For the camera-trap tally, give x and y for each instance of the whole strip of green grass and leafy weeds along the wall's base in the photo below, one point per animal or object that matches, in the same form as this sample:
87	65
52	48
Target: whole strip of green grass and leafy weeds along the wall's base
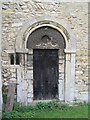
48	110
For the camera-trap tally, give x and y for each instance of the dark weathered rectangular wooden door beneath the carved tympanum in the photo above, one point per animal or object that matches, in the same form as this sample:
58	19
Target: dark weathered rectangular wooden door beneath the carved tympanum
45	74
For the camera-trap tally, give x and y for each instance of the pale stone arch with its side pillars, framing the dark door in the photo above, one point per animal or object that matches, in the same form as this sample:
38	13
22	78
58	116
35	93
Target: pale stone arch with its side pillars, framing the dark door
70	51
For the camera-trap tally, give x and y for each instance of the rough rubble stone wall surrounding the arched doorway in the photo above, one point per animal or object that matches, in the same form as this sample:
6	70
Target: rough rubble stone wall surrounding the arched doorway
75	15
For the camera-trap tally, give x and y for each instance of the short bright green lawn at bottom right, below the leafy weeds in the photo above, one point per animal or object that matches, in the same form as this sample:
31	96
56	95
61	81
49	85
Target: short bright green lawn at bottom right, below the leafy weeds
76	112
